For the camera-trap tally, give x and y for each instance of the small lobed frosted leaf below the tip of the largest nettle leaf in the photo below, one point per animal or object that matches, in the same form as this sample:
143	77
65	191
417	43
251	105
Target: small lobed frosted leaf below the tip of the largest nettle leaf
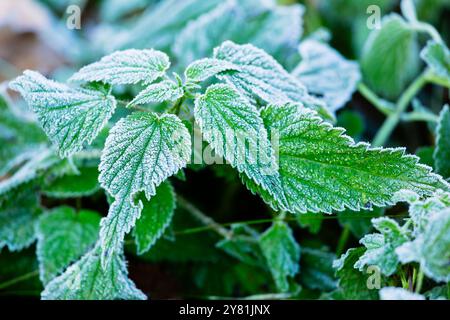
381	246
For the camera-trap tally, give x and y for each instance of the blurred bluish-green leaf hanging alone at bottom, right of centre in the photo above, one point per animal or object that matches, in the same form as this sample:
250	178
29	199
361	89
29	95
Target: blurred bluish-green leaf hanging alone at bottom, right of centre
282	253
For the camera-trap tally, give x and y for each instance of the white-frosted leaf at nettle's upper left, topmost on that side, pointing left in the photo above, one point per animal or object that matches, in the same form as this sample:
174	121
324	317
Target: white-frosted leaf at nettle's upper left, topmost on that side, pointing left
126	67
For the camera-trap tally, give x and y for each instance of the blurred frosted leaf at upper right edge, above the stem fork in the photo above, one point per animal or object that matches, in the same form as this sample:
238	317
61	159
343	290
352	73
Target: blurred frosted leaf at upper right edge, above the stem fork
437	57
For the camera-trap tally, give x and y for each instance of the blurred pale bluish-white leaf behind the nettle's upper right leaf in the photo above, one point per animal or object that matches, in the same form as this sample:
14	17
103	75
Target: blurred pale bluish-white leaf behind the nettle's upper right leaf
326	74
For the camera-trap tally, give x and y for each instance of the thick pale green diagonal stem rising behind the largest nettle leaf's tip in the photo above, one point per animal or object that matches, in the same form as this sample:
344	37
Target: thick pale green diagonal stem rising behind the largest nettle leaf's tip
392	120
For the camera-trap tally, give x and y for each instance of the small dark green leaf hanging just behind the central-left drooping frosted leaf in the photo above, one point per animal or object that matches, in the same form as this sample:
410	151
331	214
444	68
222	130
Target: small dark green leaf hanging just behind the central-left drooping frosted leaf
155	217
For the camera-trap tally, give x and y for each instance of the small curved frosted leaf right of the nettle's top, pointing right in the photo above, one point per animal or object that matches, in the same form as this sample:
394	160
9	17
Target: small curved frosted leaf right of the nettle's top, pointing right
203	69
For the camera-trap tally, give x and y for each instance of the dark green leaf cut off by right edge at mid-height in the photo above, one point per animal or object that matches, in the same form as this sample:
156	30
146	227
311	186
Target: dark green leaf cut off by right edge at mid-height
442	152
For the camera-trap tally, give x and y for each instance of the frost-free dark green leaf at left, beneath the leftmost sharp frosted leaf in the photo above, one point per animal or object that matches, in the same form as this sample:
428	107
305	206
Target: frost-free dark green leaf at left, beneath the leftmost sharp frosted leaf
85	183
